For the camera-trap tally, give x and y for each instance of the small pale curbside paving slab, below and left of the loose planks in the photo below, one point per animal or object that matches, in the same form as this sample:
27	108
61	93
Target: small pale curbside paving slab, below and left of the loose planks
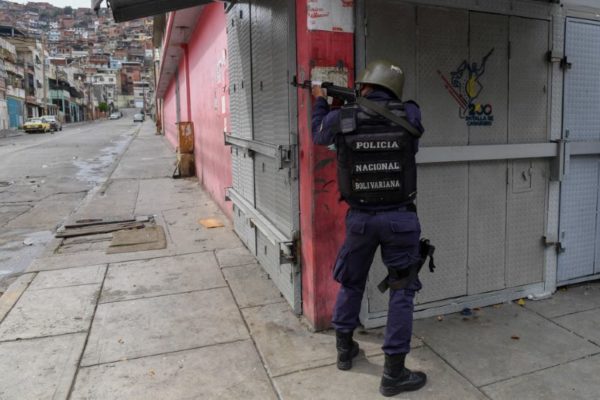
68	277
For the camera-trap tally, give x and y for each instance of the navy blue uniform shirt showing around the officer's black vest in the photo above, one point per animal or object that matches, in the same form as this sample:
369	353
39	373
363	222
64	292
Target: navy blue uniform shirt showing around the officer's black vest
326	125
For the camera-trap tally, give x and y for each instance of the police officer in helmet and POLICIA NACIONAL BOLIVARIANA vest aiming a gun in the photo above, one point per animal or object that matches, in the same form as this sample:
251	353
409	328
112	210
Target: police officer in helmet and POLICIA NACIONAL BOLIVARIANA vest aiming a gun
377	178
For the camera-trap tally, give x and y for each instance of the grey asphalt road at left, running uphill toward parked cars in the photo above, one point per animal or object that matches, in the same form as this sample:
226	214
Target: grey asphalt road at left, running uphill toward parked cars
44	178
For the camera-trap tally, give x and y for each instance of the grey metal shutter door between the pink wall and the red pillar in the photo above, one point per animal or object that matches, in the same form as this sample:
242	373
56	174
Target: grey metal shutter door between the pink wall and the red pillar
263	111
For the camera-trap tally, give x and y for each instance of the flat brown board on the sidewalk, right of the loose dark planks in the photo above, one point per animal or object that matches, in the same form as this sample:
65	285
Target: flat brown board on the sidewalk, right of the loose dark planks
133	240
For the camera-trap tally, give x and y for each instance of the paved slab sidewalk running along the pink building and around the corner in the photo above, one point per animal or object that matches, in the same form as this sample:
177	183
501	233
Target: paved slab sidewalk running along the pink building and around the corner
200	320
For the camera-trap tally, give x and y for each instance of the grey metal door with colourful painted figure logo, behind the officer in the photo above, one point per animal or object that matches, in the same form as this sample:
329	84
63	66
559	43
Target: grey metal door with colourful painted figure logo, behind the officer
485	217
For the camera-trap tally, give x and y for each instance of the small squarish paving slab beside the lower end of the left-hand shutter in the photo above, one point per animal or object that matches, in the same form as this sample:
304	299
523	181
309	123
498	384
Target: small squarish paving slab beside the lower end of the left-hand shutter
251	286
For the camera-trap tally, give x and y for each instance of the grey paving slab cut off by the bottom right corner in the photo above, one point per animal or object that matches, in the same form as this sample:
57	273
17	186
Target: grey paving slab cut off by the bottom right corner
576	380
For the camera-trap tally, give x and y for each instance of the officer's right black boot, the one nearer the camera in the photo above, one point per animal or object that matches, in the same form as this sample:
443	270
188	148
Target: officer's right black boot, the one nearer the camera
397	378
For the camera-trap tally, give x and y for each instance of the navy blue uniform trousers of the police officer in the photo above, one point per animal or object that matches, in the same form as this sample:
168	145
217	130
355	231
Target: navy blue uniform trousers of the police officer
397	232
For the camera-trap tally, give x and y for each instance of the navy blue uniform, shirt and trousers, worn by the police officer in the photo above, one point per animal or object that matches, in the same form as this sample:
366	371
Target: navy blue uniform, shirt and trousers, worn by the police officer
395	228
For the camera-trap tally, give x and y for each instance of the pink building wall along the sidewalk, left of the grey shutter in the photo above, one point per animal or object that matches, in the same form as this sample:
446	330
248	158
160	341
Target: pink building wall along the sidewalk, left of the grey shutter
204	63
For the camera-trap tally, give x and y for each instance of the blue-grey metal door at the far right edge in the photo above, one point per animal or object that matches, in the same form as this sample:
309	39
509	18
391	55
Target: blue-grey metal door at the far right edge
579	192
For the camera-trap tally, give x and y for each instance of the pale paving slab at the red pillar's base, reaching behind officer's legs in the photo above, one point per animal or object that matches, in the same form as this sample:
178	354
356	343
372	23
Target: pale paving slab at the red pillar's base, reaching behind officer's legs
287	345
